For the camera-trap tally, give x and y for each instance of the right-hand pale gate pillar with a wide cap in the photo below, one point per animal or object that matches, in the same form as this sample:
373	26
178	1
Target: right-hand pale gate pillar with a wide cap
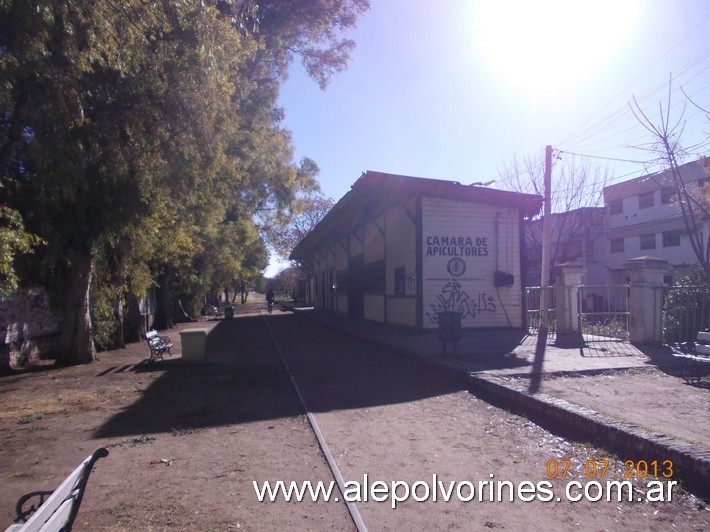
646	298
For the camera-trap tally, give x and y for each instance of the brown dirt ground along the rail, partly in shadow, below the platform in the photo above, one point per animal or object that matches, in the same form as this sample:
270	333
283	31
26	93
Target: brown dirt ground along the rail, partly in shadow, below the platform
187	441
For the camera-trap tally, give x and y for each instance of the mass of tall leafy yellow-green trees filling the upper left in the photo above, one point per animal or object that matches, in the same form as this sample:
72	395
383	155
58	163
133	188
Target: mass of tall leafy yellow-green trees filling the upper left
139	140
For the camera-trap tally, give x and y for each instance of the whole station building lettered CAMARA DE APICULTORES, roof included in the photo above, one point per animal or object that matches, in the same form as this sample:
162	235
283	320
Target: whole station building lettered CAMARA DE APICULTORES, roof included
400	250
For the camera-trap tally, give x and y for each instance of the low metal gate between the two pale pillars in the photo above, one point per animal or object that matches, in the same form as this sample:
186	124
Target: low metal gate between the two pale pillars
604	310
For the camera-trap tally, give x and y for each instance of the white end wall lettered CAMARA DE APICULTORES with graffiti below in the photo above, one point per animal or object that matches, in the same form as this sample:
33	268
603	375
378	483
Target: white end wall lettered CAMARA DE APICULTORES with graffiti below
471	263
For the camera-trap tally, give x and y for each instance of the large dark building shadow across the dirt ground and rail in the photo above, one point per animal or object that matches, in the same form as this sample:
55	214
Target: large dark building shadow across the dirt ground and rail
243	378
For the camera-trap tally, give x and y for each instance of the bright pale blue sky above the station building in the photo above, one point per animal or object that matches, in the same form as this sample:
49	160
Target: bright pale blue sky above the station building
459	89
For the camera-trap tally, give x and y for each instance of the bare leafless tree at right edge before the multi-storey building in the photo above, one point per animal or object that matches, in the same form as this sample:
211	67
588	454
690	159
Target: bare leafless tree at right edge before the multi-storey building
692	203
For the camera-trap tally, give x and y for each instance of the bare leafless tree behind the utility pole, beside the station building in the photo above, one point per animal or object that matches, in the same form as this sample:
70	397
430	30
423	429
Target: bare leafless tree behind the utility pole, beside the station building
576	199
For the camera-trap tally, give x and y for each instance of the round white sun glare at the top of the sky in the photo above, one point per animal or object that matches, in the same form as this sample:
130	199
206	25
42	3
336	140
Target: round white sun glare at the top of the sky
551	46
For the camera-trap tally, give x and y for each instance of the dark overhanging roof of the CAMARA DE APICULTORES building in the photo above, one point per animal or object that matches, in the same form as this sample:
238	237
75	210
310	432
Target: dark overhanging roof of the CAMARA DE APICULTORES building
374	193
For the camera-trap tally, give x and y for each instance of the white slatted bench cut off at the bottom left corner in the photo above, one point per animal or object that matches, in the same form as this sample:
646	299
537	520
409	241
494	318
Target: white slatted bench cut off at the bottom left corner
55	510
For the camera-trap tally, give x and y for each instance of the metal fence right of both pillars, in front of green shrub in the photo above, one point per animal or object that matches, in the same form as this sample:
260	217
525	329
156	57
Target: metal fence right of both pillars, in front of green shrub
686	310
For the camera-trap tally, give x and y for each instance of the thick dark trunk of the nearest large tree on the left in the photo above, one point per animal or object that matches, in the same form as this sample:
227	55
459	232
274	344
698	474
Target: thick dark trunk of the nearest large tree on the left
77	344
